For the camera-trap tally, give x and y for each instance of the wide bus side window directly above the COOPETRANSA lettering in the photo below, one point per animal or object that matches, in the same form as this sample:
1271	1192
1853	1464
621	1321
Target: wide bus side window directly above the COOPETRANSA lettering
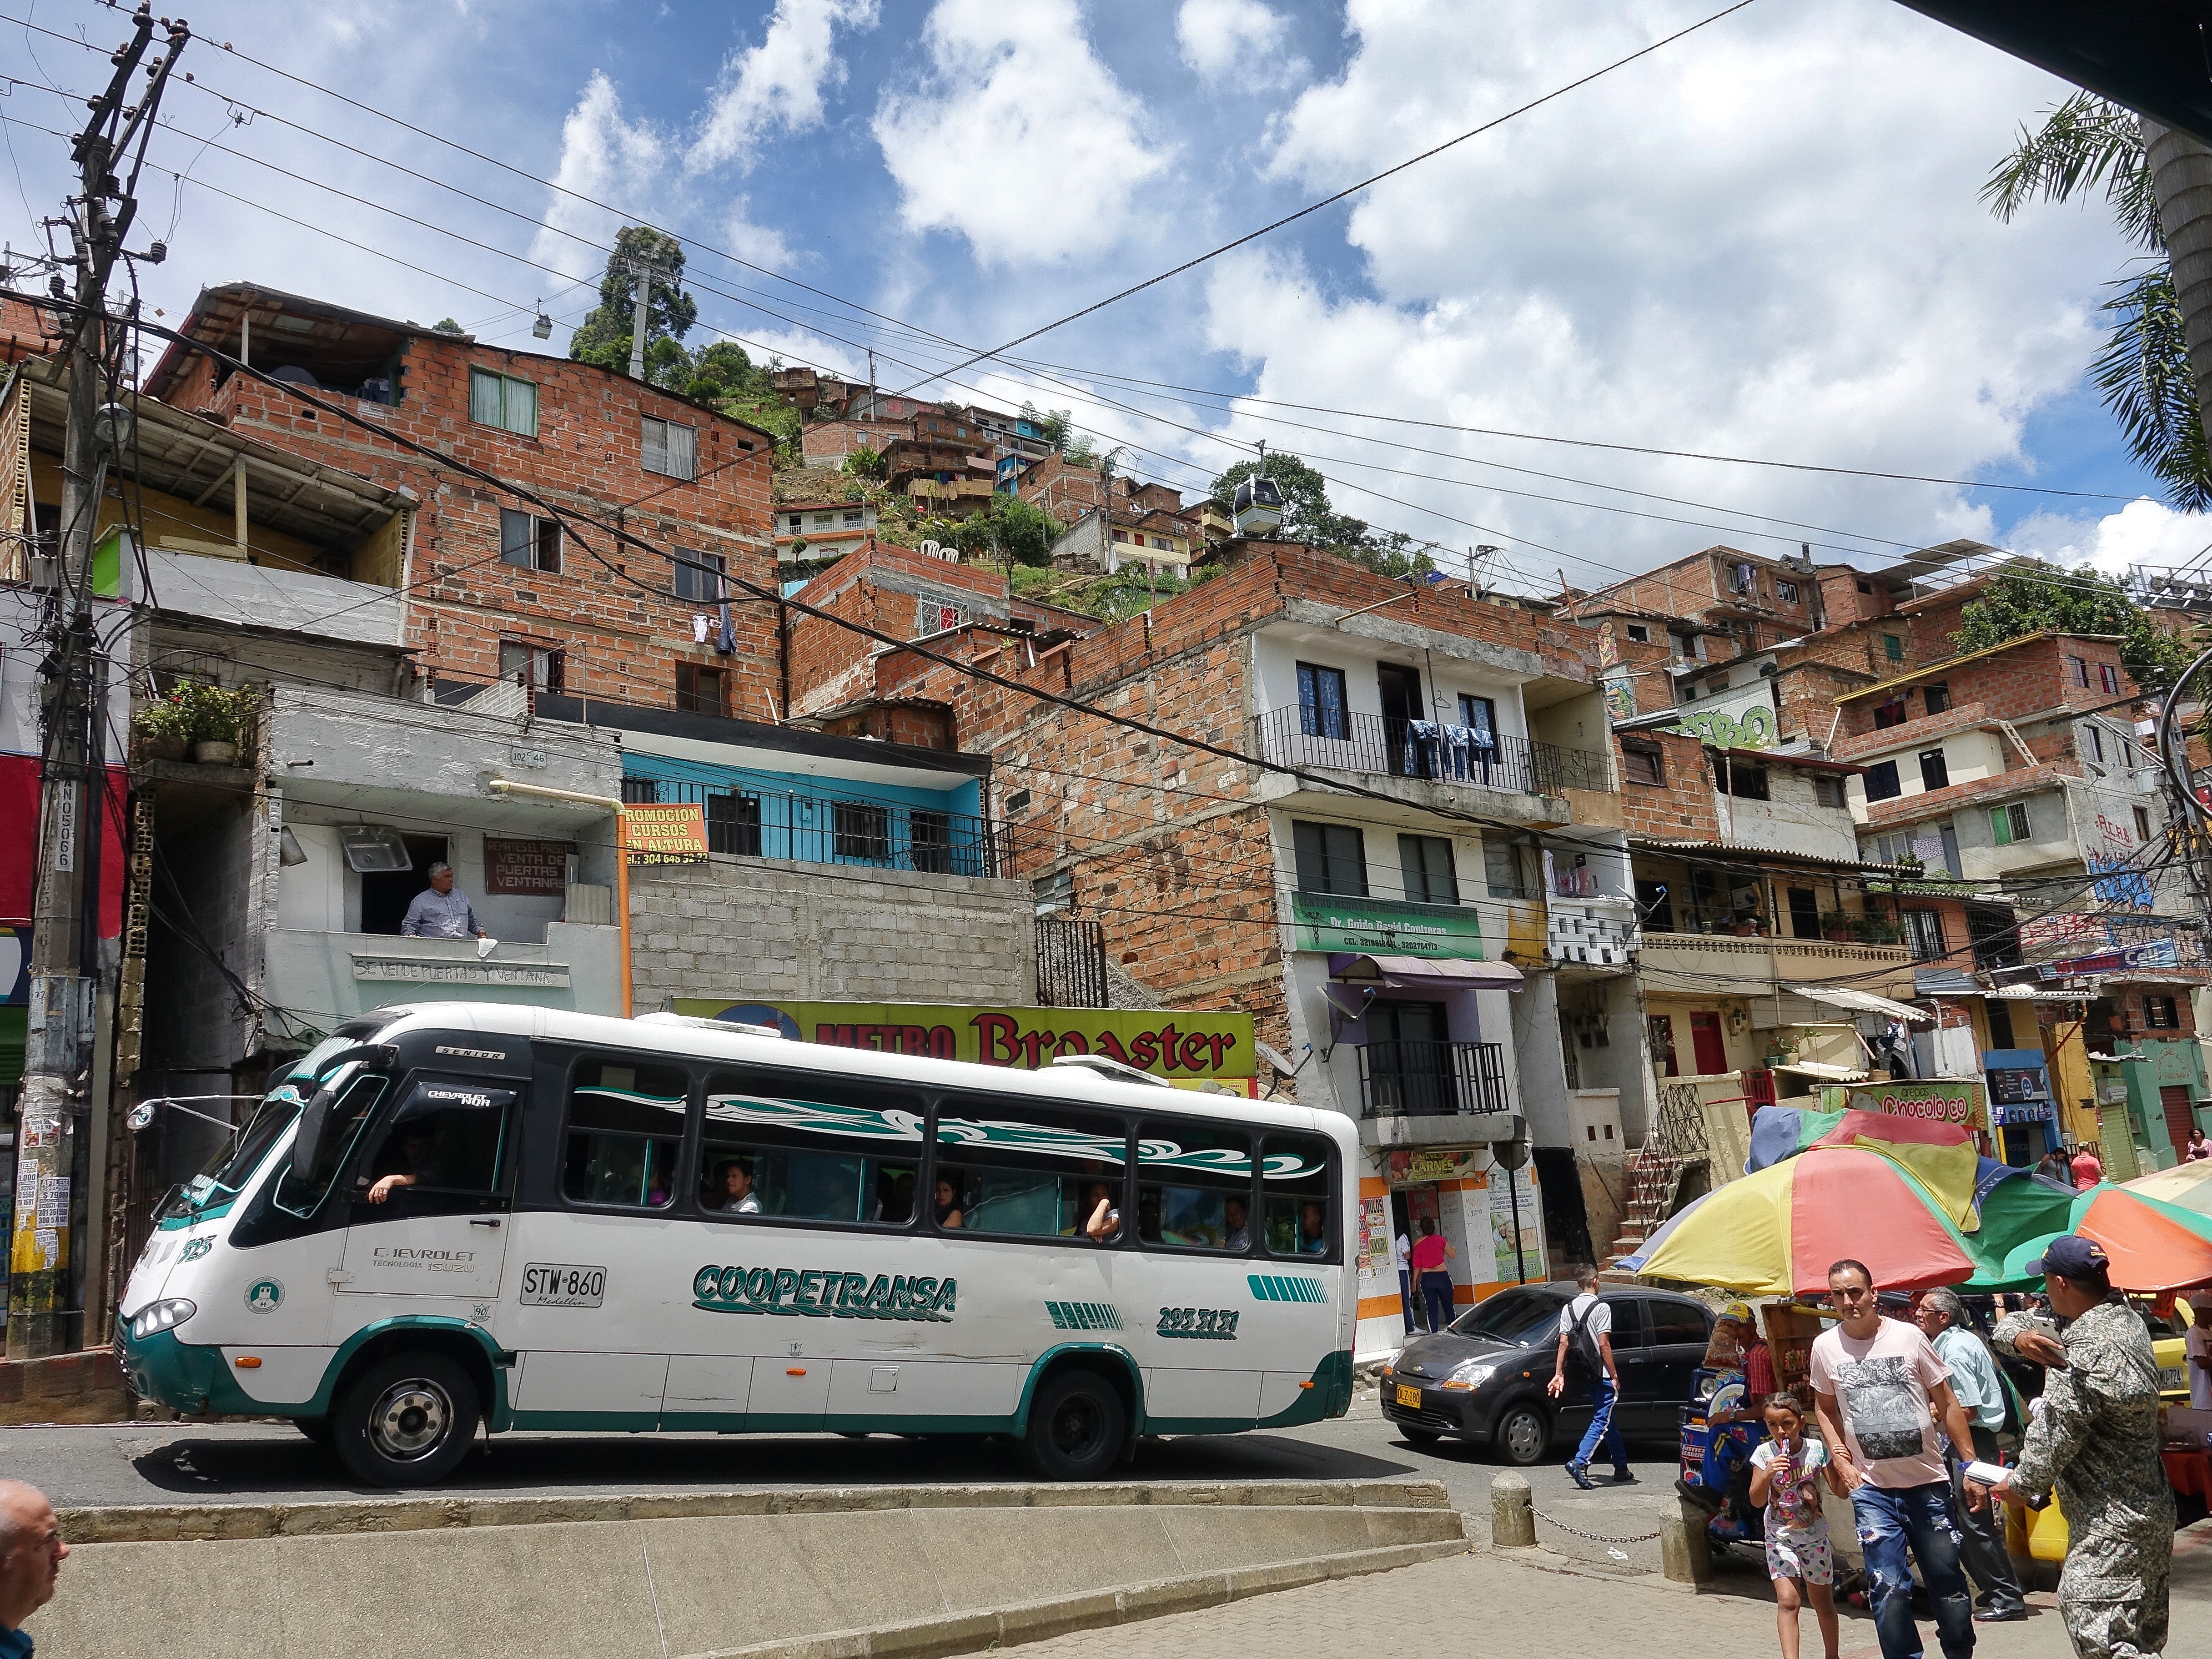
811	1149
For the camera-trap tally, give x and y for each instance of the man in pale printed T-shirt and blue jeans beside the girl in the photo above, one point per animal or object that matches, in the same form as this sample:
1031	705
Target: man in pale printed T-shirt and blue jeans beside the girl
1875	1384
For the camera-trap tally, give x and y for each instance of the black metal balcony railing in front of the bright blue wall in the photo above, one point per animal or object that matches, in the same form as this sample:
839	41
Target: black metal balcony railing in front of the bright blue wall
831	831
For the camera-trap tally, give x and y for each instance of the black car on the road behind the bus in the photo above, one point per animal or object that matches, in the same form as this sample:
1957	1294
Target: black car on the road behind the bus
1483	1377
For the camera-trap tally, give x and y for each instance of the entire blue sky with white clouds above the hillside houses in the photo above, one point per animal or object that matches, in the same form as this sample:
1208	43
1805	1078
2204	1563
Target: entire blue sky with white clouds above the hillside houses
1762	240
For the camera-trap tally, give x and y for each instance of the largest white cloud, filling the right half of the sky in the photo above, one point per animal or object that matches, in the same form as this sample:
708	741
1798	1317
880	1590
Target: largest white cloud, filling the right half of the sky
1764	240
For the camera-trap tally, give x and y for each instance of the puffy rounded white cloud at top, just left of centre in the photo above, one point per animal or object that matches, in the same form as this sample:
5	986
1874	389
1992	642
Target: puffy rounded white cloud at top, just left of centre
1016	136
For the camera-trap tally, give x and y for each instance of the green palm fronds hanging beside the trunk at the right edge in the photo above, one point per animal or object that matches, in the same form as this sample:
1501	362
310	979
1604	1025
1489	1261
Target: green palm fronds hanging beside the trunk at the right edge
2145	366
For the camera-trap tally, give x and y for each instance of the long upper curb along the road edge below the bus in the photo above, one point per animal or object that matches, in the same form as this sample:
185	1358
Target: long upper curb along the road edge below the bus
189	1523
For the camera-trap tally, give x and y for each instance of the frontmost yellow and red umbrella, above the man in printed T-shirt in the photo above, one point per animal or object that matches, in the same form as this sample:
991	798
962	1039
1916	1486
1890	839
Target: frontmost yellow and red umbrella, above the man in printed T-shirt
1780	1231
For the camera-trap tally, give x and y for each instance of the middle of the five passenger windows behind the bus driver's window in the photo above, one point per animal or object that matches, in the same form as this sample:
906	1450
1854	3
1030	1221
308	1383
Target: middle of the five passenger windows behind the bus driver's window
1039	1176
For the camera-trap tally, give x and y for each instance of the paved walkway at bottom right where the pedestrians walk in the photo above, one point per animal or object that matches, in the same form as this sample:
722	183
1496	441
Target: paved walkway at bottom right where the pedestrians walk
1490	1603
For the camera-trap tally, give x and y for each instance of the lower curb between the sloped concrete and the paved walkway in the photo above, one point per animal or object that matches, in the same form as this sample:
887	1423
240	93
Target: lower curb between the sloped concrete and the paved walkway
1036	1620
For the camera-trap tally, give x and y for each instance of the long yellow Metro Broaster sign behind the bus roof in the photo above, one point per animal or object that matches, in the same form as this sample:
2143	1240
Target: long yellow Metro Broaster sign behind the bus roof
1167	1043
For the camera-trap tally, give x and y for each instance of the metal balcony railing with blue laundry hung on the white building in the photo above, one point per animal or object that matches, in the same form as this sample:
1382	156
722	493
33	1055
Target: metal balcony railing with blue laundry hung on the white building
1426	751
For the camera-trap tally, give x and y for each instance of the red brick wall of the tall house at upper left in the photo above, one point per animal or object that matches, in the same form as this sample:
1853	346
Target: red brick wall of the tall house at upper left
620	640
